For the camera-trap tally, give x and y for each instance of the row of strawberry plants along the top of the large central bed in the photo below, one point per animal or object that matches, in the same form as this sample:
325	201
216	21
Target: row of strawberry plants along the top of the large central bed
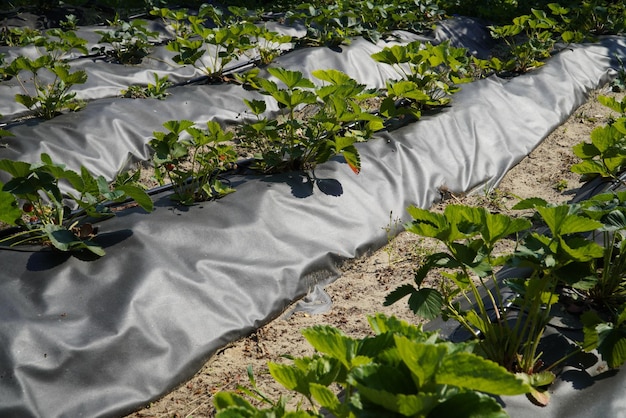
193	160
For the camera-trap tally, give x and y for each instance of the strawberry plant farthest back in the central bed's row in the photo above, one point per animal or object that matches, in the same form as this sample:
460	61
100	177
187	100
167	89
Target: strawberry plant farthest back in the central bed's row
429	75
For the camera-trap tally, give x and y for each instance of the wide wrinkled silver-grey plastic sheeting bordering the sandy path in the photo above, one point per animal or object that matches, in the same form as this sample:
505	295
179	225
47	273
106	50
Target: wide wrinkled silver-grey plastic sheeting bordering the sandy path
102	338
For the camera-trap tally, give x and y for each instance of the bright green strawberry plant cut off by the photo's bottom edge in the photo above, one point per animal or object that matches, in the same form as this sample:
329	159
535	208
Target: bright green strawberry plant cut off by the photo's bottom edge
401	371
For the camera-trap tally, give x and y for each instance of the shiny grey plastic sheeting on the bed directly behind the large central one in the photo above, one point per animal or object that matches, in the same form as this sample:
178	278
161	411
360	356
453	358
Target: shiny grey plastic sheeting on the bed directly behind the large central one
109	134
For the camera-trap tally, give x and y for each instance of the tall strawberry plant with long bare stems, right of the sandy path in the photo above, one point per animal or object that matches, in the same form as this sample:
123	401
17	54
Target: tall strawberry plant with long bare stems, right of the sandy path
507	336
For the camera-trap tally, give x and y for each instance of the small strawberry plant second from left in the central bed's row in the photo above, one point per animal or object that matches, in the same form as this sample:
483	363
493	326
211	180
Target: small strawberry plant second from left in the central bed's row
191	159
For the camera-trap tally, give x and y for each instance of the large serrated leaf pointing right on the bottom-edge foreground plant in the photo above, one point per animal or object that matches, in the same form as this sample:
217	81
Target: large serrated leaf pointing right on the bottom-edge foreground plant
467	370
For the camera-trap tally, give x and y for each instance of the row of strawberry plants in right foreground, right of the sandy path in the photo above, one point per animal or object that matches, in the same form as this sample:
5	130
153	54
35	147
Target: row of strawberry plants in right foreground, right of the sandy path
569	255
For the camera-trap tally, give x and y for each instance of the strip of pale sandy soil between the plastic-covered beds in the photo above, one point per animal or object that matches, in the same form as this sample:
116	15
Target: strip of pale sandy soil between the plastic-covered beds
366	281
